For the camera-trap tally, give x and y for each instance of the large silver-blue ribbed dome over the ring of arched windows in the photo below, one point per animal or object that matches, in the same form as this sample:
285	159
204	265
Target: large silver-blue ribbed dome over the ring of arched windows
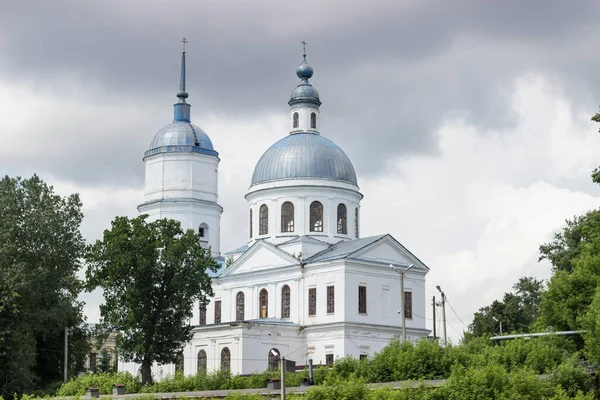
304	156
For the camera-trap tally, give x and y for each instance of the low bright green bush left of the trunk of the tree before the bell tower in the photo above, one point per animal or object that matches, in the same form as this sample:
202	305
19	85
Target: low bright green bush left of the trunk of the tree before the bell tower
103	381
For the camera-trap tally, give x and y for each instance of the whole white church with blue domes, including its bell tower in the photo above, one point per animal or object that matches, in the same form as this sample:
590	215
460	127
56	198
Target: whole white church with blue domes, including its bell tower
306	285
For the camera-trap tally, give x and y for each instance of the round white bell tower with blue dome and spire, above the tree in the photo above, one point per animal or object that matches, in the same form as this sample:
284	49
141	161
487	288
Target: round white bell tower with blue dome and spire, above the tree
181	174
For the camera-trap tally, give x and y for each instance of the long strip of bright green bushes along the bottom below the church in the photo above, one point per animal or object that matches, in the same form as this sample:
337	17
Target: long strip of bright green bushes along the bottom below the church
476	370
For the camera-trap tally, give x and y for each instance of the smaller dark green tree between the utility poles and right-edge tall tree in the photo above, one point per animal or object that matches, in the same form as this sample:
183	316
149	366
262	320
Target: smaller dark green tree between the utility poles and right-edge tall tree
517	311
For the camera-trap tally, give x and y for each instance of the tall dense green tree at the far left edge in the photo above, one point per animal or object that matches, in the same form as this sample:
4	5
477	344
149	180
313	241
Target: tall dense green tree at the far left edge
40	251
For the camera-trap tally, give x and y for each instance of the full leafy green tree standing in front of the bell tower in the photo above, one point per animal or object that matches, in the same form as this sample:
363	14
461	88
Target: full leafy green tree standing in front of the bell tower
151	274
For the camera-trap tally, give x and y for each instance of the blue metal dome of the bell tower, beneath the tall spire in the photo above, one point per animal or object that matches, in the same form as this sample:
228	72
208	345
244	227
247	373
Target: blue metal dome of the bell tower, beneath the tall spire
181	136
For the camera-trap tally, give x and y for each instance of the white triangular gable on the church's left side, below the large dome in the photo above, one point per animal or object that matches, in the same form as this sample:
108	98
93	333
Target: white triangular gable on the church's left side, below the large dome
260	257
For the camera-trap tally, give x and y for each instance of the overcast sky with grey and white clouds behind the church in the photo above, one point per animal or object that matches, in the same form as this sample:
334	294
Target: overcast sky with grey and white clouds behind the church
468	122
